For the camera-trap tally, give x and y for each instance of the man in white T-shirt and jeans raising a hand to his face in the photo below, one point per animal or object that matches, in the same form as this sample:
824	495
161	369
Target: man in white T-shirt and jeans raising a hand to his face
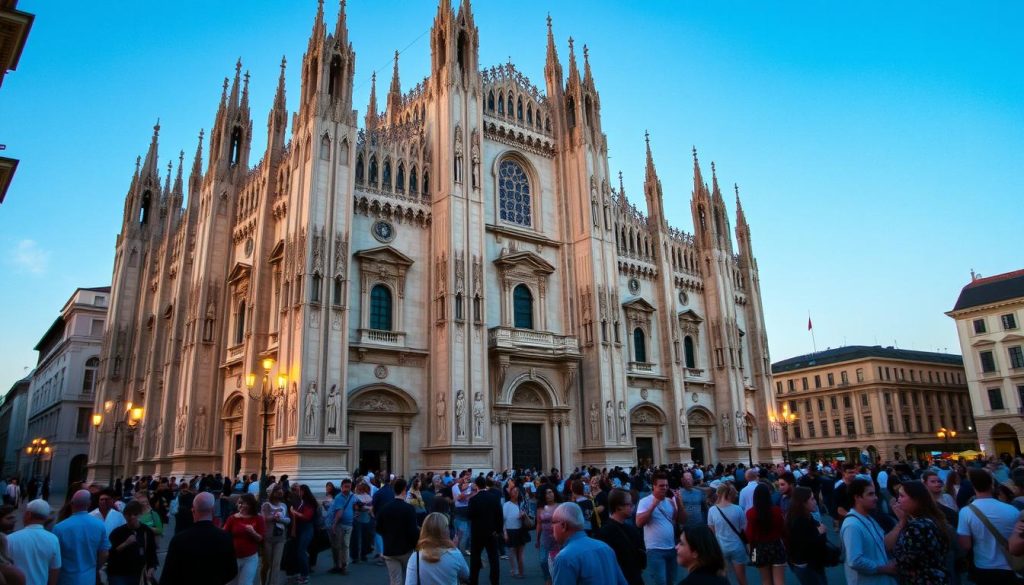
659	515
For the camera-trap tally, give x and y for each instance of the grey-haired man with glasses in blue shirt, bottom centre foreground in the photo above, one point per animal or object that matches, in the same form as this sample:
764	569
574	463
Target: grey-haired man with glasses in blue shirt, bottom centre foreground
583	561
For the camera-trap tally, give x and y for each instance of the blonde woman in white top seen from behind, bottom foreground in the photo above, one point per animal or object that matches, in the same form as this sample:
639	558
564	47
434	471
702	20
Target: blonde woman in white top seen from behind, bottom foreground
437	561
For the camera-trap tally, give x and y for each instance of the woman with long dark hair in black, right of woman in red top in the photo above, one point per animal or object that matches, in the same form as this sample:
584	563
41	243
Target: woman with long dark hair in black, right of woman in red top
806	542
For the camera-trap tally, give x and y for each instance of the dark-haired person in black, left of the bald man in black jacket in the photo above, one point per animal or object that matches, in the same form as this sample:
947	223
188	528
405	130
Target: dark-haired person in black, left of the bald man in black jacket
134	550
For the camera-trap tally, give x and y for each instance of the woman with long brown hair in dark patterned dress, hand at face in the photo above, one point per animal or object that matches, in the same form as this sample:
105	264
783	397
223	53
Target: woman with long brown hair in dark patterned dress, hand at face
922	541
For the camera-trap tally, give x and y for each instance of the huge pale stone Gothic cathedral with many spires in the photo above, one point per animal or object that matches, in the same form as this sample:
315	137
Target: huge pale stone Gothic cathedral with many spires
452	283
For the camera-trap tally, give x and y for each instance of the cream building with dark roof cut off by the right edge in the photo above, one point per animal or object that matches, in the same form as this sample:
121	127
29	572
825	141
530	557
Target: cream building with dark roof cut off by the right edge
989	315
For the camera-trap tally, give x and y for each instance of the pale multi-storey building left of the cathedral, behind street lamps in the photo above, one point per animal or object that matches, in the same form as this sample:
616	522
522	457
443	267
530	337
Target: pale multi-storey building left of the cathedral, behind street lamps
64	388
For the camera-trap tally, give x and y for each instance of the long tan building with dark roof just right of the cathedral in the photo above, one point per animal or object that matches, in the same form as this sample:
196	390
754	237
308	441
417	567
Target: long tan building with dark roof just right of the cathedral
890	403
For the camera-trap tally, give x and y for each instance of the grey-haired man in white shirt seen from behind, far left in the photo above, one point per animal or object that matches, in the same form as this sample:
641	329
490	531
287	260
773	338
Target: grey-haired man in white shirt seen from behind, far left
36	552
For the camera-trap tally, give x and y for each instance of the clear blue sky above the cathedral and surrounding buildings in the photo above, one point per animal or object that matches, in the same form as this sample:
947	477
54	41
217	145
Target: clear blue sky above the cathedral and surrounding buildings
879	146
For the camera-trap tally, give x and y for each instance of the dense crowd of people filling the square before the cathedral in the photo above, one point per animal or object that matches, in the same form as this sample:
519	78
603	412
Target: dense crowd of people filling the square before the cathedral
910	523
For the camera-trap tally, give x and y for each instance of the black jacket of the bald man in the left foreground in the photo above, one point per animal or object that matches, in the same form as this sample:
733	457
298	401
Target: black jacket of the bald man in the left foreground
203	555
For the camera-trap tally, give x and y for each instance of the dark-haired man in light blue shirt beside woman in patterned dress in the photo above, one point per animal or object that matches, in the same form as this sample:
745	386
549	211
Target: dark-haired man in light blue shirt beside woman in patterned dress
864	541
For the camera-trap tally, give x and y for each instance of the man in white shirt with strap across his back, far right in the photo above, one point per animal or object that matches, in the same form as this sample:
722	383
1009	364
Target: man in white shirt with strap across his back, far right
976	536
